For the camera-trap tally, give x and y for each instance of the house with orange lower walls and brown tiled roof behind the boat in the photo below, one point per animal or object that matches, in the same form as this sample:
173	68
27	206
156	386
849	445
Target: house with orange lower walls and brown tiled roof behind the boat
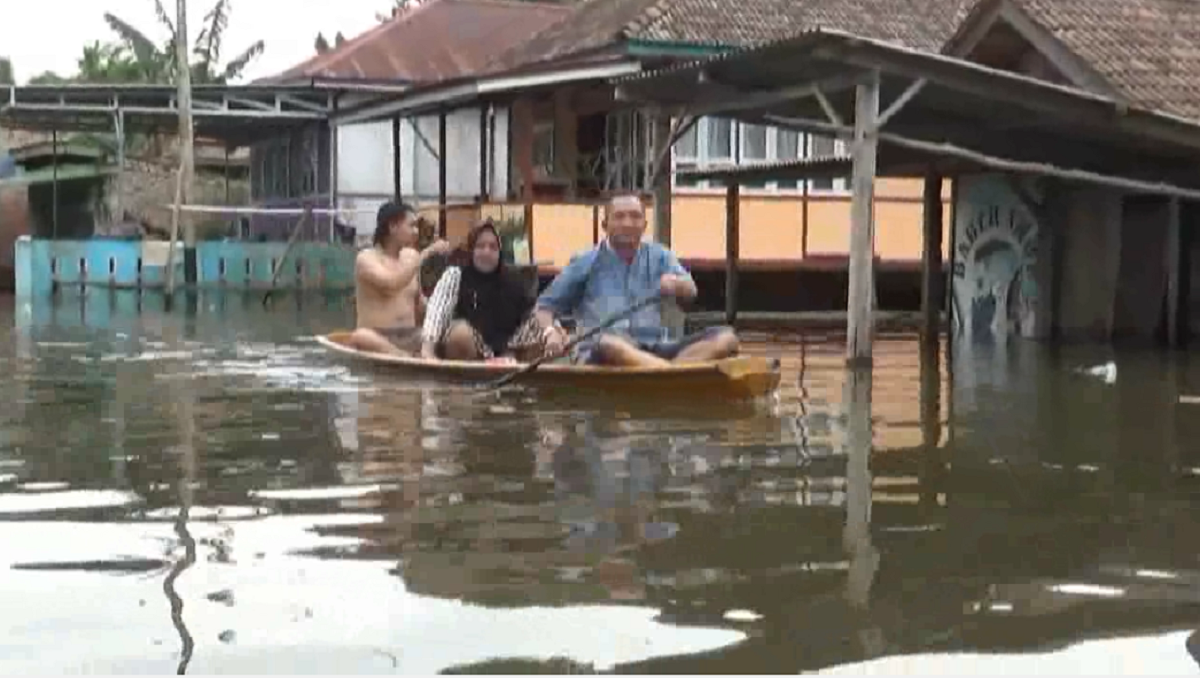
549	99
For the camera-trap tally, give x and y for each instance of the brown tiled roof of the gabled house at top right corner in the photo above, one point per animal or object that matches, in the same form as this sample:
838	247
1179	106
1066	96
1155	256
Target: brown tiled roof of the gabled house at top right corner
1148	50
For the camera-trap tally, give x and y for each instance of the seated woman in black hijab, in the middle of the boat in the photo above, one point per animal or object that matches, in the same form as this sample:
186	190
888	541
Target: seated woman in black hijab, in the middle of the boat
479	311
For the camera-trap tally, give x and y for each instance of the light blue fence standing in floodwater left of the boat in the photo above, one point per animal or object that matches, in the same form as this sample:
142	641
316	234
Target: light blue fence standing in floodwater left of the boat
43	266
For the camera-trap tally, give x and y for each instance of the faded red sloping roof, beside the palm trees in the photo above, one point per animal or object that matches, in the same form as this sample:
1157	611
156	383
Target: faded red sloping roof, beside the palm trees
437	41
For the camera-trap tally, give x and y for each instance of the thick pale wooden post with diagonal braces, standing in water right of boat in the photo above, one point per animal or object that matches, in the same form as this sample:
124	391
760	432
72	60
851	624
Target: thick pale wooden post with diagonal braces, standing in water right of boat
862	236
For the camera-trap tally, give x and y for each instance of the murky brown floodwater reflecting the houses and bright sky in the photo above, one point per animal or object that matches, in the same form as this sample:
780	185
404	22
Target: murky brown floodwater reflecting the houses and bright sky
208	491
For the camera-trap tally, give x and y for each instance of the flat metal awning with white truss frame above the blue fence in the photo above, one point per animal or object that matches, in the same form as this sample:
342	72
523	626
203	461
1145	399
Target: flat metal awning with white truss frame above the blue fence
219	111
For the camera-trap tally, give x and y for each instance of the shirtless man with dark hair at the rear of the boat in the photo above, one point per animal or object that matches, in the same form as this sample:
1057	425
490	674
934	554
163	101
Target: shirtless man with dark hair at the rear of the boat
387	285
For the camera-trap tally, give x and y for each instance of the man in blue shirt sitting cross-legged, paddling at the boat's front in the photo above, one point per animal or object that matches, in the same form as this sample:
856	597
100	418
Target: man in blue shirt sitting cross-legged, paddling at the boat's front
615	275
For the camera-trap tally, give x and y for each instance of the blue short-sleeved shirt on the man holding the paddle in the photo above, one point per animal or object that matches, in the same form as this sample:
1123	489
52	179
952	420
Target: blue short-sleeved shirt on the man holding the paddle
598	284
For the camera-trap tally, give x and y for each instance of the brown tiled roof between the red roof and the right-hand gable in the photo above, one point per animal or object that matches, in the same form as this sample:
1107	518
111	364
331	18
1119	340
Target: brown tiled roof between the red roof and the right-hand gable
923	25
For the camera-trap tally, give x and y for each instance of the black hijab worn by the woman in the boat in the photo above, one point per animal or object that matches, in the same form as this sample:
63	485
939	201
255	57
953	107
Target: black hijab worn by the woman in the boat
495	304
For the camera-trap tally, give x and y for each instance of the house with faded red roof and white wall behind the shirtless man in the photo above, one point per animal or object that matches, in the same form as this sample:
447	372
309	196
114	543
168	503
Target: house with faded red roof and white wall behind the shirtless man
439	41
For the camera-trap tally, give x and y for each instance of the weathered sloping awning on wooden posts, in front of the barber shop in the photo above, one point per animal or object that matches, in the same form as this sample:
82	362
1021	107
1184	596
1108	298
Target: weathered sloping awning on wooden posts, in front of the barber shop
808	83
